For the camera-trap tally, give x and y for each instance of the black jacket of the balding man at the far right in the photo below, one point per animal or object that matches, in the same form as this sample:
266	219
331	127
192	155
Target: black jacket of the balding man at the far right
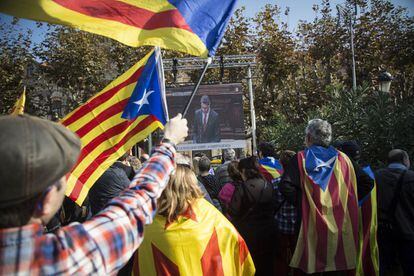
404	211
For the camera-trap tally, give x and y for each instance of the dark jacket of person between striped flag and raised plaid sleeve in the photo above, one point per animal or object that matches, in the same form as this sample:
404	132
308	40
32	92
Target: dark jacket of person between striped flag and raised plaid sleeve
113	181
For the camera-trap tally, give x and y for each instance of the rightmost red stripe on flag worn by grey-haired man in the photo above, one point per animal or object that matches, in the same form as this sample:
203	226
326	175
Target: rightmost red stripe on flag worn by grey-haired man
352	203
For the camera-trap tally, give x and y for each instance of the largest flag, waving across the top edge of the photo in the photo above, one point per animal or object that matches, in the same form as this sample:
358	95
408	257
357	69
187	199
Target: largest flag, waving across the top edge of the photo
195	27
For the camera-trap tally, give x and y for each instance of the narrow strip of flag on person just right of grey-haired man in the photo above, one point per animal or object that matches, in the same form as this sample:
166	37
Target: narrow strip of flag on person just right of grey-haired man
368	254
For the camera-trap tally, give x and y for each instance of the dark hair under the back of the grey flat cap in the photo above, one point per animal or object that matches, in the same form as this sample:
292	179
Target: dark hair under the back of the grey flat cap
19	214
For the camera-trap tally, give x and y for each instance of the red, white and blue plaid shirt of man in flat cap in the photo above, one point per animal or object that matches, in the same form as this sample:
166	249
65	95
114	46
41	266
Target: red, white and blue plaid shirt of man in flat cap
101	245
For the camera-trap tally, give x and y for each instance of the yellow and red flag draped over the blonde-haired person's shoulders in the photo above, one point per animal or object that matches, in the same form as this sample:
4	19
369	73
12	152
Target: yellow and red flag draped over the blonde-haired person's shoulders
200	242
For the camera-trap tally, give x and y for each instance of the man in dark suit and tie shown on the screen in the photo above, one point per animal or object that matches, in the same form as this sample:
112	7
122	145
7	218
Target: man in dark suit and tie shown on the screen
206	127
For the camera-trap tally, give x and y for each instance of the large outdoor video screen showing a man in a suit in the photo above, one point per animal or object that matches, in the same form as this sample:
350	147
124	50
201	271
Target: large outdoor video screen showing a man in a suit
215	116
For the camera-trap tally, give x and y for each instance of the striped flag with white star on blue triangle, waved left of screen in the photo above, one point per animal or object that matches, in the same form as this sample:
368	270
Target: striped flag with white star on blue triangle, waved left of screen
114	120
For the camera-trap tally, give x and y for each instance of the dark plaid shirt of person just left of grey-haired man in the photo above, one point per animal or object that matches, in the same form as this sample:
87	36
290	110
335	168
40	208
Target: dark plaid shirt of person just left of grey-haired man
286	217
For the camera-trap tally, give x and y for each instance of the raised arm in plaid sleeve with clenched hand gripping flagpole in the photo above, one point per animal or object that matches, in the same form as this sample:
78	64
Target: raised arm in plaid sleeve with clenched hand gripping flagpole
111	237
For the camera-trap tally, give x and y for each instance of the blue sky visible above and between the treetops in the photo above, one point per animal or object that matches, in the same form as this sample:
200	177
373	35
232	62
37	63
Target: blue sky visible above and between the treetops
299	10
